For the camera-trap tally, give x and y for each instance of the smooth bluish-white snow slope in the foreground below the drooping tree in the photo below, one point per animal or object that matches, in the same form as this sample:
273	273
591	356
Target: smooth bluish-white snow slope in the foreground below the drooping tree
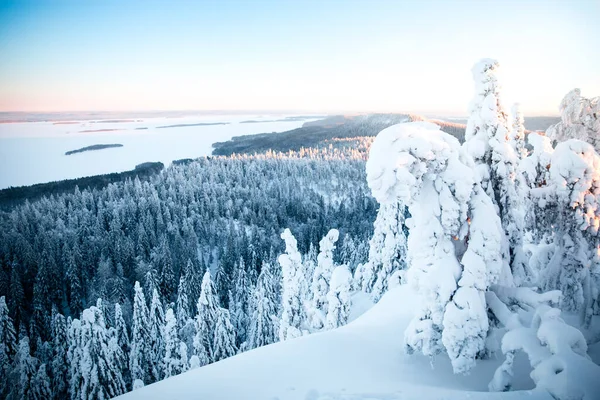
363	360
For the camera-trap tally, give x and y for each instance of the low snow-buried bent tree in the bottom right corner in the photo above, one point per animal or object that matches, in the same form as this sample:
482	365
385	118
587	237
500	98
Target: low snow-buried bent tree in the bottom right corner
556	351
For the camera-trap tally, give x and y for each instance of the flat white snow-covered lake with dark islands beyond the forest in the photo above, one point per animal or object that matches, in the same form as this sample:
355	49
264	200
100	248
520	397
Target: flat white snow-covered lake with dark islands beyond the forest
34	152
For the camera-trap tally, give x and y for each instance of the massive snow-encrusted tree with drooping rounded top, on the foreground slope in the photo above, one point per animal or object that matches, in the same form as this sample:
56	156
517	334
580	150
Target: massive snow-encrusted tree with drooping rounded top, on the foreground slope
455	243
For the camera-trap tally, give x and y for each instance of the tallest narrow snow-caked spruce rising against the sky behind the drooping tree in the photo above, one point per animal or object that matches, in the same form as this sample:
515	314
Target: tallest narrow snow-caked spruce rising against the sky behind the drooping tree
488	141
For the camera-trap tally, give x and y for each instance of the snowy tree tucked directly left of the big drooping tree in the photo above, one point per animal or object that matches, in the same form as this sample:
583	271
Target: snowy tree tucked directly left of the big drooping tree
387	247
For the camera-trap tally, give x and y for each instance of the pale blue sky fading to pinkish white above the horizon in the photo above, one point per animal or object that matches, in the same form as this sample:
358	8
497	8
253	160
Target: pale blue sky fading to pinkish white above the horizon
318	56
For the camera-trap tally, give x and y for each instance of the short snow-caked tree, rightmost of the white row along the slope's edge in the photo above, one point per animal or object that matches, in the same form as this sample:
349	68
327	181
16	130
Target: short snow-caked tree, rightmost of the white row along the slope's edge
339	301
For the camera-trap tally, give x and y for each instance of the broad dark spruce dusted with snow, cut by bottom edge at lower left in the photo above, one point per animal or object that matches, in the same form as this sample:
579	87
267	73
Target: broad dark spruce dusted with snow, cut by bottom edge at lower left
100	369
